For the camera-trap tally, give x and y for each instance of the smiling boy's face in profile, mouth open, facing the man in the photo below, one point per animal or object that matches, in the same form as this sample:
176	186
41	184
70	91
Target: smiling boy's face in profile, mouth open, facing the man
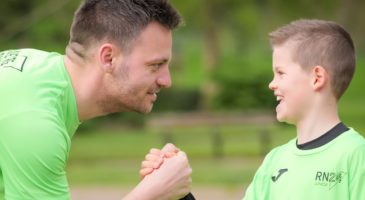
291	85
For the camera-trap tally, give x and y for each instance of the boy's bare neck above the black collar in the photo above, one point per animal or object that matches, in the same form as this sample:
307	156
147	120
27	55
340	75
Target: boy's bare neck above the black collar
317	123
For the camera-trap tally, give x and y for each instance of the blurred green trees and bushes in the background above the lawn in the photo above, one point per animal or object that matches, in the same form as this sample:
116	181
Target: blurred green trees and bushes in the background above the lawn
219	54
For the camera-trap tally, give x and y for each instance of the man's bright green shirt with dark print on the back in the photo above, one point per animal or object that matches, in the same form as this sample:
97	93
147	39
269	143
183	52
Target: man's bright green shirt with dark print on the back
38	116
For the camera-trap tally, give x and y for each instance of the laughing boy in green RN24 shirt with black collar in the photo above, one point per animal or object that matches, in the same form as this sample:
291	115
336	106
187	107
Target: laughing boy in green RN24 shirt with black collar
313	64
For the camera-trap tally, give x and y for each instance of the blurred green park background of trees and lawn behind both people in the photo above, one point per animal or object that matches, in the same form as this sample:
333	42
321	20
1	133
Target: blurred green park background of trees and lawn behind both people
221	64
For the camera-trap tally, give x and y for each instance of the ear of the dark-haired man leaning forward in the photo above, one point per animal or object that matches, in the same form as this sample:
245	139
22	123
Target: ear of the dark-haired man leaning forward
107	55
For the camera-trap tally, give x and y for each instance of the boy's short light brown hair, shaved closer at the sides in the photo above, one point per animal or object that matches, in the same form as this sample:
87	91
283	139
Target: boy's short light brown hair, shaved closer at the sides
323	43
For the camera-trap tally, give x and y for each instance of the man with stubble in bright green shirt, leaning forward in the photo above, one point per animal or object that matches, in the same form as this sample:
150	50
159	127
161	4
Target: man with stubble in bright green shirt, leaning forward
116	61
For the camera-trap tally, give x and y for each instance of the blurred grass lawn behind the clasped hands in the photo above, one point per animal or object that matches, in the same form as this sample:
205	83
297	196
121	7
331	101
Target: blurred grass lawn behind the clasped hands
114	157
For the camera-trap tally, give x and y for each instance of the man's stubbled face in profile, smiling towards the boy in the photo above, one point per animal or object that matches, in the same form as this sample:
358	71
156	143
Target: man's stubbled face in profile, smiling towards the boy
141	73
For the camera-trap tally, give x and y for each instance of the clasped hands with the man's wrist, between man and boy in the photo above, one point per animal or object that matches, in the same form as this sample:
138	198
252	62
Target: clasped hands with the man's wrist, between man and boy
171	180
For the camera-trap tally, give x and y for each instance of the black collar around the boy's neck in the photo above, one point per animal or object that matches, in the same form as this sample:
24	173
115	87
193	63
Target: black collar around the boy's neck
325	138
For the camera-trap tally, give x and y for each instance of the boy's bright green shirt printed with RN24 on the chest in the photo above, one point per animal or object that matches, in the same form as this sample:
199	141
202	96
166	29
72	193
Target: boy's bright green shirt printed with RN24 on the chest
335	170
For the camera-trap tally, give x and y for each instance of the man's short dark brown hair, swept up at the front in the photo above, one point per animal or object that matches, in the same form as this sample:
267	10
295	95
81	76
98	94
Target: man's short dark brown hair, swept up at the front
119	21
